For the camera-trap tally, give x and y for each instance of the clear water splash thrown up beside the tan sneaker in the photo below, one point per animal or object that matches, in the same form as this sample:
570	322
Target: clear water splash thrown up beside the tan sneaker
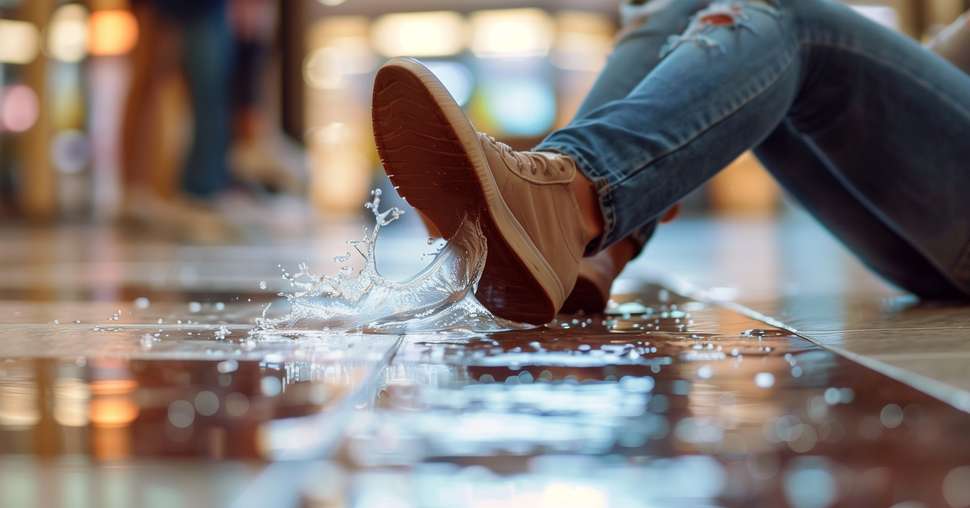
440	298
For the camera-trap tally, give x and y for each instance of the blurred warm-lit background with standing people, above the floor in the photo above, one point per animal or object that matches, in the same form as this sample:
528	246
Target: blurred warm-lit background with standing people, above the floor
188	116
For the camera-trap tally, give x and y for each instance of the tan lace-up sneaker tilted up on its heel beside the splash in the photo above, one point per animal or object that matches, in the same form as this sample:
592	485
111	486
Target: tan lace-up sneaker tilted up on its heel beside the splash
448	171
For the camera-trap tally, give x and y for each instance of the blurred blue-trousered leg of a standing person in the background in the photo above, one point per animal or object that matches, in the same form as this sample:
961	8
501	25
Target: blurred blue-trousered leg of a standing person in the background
207	62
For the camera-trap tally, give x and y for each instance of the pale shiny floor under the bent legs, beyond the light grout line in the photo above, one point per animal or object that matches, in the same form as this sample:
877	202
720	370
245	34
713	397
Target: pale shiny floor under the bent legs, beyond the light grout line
793	271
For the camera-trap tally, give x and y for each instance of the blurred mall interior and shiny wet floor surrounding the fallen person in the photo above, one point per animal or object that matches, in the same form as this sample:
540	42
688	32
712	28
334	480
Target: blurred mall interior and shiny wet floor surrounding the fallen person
167	166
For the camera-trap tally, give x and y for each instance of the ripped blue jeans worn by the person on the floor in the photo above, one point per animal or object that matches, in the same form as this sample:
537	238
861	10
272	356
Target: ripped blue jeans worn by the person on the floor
864	127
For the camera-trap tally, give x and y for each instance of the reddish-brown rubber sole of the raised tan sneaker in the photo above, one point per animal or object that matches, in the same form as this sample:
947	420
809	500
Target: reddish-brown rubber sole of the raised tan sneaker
434	158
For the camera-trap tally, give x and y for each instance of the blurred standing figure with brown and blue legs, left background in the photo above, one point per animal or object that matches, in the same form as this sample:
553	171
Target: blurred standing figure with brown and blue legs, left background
191	38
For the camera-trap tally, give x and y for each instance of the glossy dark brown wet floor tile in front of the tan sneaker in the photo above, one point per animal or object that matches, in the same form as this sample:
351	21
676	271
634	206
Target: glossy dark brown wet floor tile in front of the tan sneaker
629	413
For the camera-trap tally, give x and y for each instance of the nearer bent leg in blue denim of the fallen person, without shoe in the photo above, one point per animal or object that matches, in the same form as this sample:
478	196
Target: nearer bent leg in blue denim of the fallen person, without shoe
862	95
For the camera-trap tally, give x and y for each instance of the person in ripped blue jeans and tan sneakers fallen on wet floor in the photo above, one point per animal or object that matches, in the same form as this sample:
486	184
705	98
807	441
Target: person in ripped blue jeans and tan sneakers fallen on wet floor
861	125
